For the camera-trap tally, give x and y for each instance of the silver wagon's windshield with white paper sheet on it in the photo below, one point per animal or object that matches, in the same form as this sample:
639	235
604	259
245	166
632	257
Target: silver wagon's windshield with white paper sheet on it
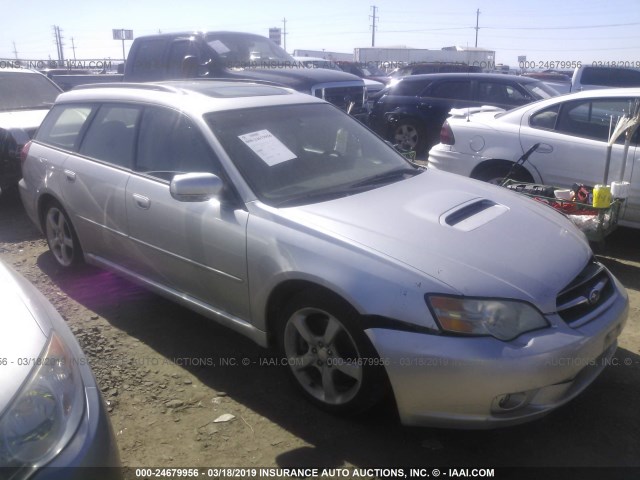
298	154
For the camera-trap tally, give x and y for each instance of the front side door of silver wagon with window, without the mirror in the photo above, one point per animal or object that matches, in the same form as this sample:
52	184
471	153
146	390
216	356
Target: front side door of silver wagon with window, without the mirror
193	248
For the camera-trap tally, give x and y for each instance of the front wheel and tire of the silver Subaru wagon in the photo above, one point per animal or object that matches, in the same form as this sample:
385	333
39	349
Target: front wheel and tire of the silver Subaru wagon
331	360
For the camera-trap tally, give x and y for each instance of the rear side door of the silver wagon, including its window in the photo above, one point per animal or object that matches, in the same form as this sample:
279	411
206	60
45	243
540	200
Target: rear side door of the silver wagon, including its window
94	180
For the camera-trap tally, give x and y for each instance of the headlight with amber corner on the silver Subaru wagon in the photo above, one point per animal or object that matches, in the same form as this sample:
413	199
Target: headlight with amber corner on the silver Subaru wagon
503	319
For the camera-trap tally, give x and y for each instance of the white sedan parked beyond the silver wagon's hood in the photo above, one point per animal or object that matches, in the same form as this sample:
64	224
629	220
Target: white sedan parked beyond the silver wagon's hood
573	131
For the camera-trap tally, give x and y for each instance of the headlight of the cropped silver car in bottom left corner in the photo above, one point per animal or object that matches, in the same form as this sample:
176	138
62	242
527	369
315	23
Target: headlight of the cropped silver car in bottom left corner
46	412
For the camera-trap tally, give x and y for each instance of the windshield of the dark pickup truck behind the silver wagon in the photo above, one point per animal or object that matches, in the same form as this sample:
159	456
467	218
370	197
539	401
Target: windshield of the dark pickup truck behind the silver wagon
244	50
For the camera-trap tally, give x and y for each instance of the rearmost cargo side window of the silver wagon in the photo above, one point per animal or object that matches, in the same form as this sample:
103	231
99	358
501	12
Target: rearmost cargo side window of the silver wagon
62	126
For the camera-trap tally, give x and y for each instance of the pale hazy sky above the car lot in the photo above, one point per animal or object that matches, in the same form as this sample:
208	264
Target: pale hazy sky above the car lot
544	31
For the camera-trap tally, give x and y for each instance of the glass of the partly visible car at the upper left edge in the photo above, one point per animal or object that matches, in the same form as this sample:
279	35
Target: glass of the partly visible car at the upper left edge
26	91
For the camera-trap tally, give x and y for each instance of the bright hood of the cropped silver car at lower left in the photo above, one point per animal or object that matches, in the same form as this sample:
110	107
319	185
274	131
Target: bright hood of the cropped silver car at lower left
21	339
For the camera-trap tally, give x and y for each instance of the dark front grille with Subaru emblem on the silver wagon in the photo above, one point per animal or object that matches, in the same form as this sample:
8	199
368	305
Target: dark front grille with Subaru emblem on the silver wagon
585	294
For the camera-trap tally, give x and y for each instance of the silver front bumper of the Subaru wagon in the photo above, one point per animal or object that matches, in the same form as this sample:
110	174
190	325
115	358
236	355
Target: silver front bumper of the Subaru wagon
482	382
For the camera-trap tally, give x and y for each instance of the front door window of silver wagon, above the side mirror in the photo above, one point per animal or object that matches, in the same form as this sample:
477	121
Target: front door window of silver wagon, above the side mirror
169	143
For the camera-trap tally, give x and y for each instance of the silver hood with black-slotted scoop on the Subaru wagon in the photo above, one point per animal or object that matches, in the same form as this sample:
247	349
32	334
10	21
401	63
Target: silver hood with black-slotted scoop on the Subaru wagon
479	239
